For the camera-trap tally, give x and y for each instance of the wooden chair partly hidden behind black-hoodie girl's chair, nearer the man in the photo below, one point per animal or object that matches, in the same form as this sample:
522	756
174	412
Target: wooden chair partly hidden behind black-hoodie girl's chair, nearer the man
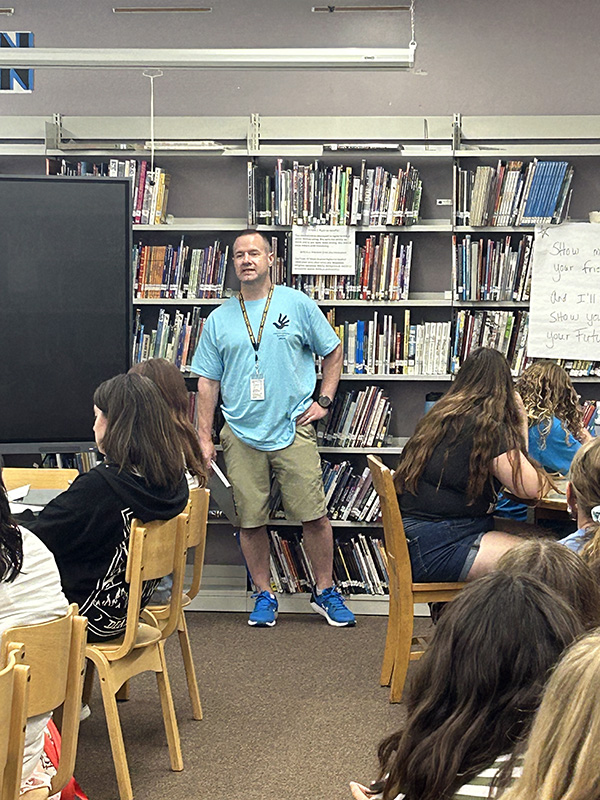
196	540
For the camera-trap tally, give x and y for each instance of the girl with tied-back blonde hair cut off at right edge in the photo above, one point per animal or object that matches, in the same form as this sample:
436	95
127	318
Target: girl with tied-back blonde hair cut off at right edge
583	497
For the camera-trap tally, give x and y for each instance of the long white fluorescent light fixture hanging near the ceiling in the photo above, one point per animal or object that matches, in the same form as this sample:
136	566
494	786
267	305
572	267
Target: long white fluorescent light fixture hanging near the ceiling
231	58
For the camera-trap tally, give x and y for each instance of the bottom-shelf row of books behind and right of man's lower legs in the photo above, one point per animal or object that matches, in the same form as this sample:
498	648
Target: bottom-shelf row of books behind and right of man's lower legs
359	565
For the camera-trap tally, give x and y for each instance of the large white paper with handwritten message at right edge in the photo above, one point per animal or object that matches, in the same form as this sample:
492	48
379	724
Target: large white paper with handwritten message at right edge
565	292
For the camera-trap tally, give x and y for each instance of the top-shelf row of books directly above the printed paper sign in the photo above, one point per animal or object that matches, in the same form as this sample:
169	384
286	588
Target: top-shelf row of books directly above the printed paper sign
315	194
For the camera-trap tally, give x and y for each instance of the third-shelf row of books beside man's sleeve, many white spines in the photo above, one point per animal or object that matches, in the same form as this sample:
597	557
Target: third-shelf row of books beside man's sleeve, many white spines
381	346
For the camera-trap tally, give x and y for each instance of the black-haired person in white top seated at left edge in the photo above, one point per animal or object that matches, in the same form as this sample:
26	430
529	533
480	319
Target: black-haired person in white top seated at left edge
30	593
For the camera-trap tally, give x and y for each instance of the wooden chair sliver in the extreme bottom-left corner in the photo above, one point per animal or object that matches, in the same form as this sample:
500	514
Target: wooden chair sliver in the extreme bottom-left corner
14	691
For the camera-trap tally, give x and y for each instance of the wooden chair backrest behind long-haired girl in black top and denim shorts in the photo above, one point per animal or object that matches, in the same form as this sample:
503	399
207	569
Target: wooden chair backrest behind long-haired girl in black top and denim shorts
393	529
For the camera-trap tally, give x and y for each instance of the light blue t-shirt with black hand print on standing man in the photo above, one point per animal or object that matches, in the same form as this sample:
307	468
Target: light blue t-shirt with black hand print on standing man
295	328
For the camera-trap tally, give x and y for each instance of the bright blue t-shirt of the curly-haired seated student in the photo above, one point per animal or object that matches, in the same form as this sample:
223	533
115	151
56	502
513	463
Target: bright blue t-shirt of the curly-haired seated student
554	452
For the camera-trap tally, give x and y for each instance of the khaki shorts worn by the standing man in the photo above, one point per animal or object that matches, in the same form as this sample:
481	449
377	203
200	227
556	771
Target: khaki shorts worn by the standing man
297	469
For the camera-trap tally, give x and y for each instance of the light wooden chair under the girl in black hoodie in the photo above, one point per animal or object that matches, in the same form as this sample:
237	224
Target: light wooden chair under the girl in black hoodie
156	549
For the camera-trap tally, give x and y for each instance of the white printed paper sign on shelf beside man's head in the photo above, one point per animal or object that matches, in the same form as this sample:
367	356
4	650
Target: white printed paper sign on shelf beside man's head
323	250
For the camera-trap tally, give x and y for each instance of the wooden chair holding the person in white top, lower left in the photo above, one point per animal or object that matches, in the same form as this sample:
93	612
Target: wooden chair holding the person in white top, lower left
55	654
